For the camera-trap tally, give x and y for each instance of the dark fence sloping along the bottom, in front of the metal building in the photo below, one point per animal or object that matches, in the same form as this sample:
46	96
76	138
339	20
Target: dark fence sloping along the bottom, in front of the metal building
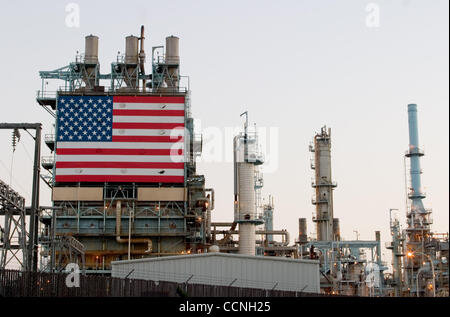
40	284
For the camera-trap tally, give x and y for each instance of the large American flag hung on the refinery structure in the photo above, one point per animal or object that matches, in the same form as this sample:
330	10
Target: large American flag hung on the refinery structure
120	139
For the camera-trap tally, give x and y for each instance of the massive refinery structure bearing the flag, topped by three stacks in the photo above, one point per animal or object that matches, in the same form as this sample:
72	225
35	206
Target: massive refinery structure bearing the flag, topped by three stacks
134	192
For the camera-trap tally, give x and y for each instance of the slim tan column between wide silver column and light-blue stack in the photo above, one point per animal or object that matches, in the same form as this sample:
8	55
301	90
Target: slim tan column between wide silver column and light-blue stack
323	185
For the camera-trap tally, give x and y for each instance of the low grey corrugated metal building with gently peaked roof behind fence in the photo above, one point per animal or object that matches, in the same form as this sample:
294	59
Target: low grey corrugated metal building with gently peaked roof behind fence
221	270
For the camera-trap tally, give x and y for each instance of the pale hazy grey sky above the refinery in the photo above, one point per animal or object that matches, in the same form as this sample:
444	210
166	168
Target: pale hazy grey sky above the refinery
294	65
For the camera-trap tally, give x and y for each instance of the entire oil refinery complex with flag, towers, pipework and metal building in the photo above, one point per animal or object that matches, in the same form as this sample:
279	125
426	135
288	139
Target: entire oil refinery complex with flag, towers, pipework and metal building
128	200
